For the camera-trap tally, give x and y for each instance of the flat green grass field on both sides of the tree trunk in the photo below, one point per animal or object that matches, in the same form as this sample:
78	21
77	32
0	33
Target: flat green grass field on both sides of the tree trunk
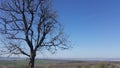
23	63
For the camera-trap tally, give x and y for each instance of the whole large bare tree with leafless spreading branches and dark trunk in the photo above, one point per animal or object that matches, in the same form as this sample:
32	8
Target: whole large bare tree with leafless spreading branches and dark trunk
29	26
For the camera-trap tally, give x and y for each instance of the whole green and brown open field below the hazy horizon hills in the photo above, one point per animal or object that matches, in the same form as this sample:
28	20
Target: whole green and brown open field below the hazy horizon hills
59	64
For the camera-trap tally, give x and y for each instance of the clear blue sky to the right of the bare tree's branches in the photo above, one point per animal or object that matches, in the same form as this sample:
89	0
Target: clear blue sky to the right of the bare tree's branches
93	26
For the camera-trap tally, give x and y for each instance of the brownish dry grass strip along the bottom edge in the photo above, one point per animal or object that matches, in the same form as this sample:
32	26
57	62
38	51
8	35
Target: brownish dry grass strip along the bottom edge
70	65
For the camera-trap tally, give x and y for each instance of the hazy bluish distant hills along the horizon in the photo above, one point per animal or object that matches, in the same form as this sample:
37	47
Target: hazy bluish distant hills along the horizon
64	59
